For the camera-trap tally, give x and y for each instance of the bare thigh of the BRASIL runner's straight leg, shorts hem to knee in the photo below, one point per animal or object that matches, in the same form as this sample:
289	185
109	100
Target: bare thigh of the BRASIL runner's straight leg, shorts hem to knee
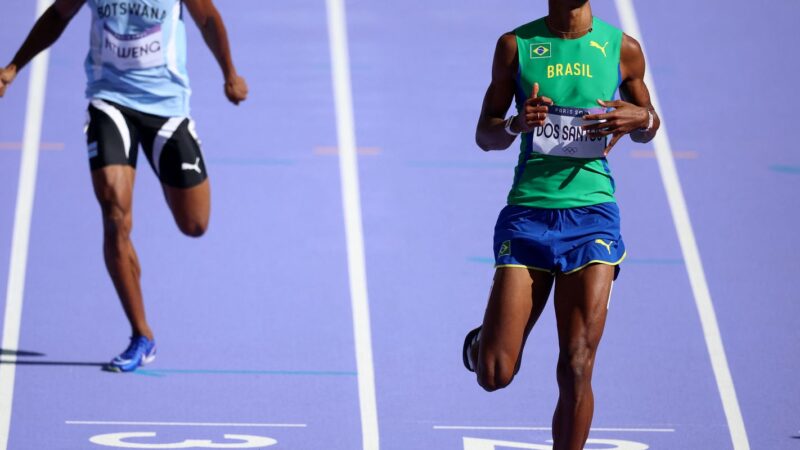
581	304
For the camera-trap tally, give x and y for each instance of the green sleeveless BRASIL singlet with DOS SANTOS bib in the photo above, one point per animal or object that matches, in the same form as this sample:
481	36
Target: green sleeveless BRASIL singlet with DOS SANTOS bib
559	166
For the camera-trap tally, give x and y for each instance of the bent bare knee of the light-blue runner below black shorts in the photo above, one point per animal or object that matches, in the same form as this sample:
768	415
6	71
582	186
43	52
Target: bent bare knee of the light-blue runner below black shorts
190	207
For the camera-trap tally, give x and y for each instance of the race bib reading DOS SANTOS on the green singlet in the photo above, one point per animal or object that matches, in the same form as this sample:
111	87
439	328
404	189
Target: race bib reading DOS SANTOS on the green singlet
562	135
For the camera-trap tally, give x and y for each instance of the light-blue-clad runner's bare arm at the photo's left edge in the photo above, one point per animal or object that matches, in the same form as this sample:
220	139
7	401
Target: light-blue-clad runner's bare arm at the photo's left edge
43	34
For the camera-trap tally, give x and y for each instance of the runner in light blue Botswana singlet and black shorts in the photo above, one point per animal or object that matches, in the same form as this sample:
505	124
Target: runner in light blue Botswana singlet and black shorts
138	92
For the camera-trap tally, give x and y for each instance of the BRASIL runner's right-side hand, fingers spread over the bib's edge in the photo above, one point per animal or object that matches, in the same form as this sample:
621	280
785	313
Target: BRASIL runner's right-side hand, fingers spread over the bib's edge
625	117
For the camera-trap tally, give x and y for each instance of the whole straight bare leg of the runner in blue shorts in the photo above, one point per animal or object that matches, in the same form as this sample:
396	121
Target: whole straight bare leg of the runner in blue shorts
580	303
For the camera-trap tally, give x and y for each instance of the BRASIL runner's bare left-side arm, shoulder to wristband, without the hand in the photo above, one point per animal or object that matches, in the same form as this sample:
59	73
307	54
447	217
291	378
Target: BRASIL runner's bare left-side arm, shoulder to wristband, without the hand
491	134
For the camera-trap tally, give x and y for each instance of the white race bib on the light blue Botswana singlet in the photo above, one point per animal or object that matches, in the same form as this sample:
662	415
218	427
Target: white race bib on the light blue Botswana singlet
133	51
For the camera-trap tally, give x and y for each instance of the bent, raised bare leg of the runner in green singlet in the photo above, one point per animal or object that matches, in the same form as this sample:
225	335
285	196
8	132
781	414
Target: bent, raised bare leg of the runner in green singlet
517	299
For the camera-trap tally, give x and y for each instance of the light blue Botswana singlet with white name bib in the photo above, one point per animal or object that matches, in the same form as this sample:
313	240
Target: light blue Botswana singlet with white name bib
137	55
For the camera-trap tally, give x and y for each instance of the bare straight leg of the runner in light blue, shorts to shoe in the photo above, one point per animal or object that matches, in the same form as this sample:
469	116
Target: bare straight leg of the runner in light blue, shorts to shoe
113	187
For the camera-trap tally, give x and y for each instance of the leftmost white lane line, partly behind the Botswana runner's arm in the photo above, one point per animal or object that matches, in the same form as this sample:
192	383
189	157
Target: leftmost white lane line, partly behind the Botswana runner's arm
21	233
